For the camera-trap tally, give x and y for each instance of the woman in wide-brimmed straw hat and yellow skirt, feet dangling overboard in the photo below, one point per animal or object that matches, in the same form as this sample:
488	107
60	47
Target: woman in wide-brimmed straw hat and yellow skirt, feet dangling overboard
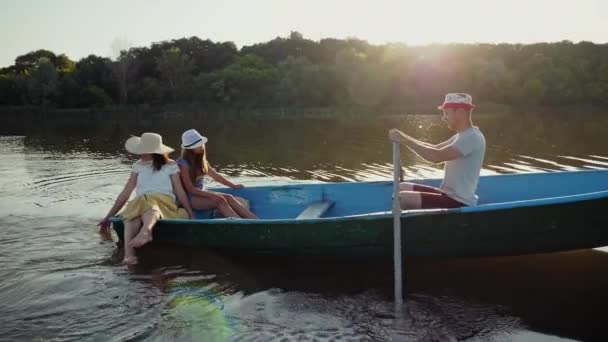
156	180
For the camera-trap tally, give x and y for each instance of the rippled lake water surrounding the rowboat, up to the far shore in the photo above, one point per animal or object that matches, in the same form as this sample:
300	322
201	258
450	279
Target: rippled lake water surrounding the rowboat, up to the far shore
61	281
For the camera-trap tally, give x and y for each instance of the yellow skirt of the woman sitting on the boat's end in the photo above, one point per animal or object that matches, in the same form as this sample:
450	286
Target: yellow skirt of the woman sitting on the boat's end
163	204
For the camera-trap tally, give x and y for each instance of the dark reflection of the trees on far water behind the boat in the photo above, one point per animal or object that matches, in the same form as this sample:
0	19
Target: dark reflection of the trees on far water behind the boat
339	146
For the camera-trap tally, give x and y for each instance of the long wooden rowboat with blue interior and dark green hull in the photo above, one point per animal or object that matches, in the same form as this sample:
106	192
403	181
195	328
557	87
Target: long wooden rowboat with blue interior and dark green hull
517	214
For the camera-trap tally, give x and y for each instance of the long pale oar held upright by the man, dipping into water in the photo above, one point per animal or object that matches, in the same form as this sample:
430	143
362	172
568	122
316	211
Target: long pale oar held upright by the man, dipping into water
397	227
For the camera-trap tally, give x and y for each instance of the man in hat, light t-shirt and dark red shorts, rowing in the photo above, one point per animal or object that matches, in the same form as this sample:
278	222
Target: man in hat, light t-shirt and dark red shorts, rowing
463	155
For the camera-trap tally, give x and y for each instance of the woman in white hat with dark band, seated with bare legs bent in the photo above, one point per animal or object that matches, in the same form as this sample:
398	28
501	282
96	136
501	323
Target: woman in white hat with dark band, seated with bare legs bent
194	167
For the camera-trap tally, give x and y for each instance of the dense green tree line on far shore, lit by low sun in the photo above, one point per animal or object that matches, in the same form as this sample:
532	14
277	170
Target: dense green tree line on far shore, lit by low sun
297	72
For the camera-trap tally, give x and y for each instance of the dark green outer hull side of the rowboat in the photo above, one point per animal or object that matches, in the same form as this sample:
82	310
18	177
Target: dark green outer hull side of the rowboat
499	231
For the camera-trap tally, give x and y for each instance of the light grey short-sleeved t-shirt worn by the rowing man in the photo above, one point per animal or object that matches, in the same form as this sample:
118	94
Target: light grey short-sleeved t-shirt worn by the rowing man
462	174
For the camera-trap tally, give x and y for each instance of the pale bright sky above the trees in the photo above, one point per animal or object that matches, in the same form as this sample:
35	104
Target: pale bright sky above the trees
78	28
